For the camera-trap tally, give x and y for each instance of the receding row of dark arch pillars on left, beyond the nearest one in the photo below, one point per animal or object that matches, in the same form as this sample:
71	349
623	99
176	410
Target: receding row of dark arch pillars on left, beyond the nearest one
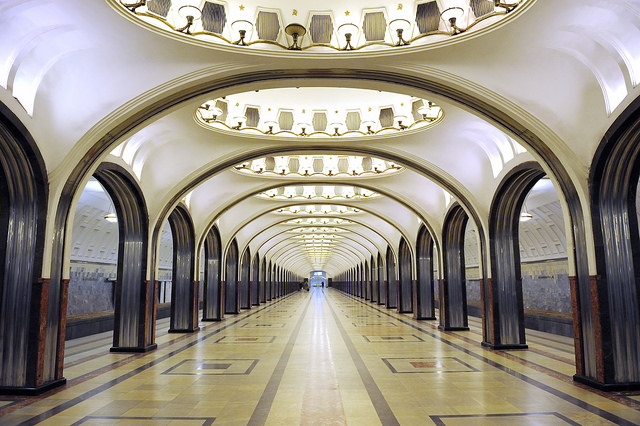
229	282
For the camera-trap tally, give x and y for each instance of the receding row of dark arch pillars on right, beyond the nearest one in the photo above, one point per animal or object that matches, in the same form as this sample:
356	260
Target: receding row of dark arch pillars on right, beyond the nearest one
501	295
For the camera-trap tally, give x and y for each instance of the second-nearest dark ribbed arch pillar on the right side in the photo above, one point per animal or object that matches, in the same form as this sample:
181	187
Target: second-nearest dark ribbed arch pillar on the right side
503	305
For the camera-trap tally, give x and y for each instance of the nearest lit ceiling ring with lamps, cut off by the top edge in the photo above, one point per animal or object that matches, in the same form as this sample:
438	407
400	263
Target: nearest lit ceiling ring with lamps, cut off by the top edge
188	18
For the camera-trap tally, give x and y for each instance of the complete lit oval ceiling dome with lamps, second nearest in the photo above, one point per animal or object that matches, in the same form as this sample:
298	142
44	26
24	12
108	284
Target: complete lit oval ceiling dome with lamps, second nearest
318	112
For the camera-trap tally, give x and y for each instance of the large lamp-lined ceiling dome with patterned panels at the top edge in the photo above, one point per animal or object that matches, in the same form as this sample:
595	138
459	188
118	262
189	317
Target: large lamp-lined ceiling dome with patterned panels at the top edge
364	27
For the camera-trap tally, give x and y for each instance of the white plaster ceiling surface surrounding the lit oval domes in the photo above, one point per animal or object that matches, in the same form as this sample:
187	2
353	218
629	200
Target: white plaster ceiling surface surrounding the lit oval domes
73	71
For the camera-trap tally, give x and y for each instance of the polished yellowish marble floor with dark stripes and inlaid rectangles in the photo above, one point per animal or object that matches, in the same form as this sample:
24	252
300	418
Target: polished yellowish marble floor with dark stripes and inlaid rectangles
322	358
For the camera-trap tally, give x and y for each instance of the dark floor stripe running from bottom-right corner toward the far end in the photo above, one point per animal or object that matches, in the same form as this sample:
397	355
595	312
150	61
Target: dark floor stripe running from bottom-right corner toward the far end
568	398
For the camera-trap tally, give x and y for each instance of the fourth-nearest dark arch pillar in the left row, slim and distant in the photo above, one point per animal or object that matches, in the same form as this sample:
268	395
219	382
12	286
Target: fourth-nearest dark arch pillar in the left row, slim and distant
213	293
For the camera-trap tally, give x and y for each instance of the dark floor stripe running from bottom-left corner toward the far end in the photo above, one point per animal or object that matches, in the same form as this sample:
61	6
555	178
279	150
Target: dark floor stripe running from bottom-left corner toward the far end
77	400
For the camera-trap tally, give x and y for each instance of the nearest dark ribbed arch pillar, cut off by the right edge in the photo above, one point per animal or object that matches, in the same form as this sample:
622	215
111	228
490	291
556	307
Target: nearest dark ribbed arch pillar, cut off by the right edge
615	290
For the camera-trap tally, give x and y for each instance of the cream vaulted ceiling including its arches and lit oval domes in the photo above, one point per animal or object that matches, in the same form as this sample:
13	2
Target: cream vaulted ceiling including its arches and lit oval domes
94	82
